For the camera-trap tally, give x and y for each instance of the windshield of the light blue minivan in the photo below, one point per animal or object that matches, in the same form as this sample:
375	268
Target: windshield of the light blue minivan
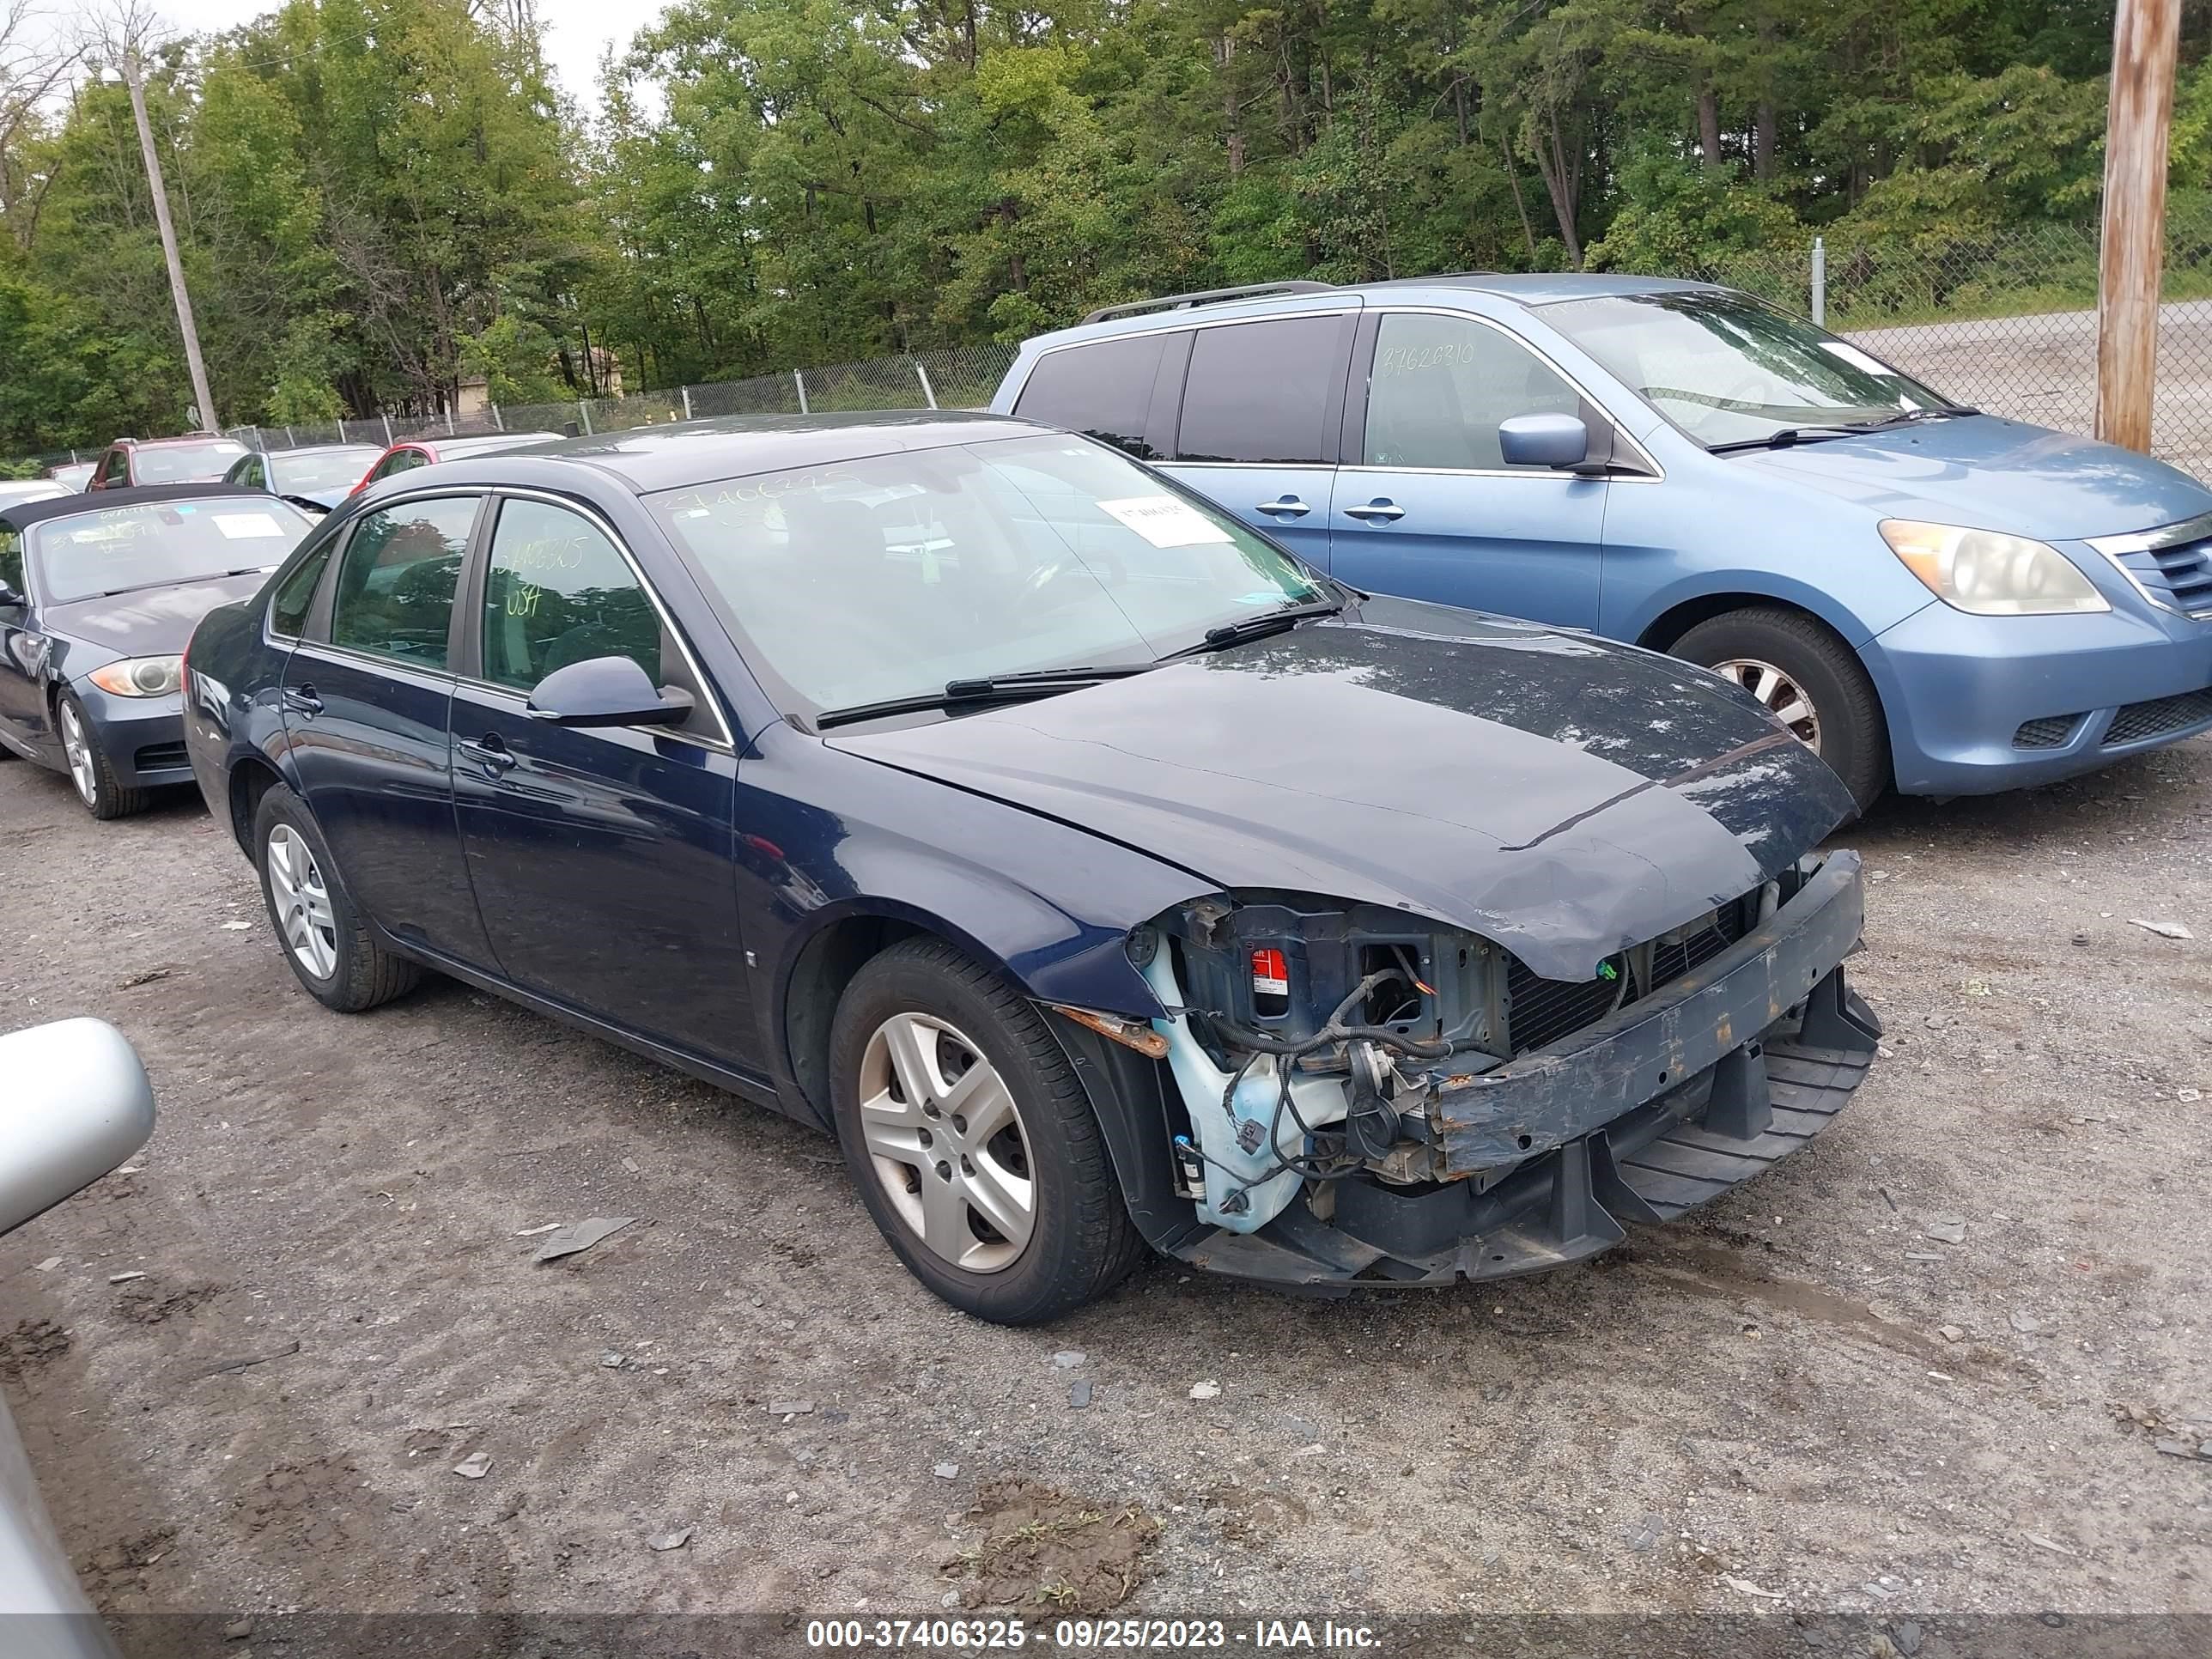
1726	368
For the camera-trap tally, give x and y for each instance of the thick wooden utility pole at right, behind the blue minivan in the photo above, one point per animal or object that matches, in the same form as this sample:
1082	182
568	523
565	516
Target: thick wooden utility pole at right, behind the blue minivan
2138	123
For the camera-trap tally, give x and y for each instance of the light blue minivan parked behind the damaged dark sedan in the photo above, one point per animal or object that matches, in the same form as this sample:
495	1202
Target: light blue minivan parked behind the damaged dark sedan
1934	598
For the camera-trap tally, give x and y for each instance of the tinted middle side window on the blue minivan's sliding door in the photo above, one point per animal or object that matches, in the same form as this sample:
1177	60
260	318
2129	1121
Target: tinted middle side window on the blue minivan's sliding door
1260	393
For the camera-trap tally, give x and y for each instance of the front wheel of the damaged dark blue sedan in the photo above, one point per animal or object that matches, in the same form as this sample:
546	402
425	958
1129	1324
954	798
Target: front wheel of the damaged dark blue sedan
972	1140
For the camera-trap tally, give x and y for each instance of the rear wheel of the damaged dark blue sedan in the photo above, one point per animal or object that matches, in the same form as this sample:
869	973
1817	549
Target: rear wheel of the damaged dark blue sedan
317	928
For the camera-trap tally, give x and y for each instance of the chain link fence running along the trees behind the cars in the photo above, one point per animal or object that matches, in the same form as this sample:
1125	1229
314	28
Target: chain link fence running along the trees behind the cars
2001	320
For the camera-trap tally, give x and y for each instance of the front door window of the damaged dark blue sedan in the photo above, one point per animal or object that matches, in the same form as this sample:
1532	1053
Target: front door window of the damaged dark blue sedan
561	594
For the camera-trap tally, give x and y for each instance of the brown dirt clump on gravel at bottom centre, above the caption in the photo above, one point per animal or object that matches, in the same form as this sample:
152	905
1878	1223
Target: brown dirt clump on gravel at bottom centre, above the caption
1043	1550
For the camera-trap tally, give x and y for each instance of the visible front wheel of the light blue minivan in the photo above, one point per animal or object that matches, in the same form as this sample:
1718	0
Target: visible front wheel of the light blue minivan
1808	680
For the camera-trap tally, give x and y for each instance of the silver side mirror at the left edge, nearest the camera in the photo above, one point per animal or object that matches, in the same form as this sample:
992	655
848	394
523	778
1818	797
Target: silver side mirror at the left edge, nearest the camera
74	1109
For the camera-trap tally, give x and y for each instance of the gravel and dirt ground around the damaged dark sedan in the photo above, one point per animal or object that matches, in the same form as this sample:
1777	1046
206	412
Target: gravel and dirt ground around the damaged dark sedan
1797	1392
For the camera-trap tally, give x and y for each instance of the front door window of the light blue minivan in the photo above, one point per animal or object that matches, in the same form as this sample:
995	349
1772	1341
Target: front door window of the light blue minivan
1441	388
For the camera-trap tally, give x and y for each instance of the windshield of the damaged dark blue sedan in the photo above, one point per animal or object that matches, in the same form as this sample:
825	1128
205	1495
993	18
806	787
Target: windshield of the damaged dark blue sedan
893	576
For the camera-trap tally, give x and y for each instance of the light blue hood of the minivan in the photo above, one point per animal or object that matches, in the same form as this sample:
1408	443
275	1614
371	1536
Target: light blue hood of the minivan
1992	474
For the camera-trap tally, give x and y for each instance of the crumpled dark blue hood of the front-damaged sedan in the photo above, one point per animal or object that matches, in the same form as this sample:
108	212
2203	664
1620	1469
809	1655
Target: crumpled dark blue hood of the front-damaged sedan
1554	793
